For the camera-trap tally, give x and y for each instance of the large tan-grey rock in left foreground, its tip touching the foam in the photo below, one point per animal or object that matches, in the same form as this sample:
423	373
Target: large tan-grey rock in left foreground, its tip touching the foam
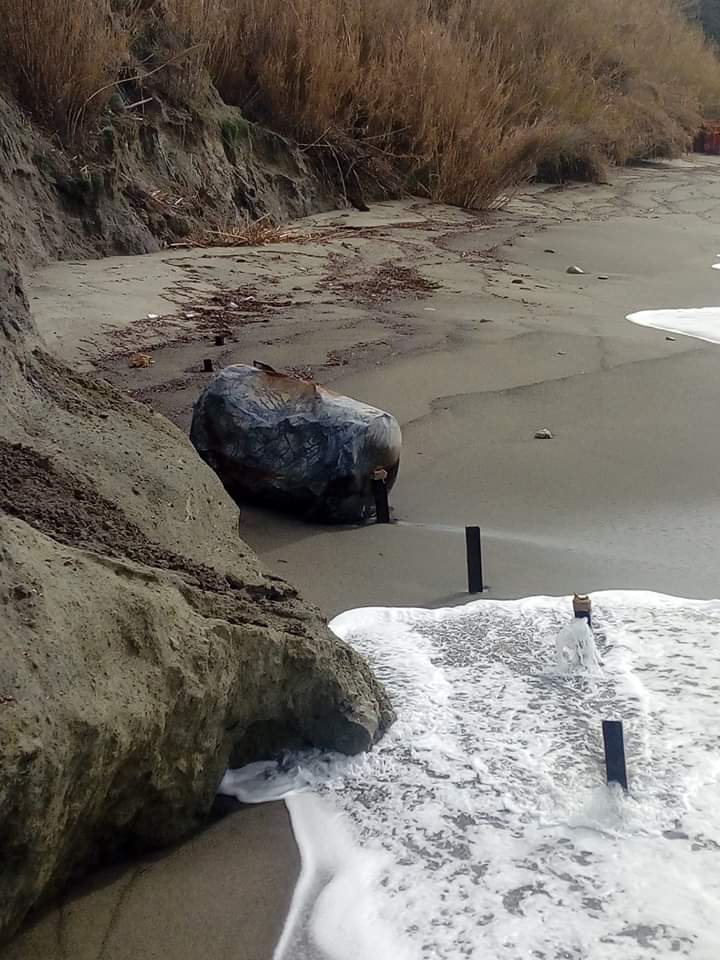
142	646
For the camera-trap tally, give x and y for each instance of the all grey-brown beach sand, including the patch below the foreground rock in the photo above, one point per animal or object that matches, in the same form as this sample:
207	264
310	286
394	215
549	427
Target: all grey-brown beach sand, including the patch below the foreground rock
472	332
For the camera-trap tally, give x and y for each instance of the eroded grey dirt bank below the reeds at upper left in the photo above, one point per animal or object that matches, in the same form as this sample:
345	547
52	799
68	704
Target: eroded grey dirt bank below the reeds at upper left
145	180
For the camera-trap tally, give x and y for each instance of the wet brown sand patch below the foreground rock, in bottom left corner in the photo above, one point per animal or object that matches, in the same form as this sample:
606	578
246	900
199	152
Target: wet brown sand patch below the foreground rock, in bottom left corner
224	893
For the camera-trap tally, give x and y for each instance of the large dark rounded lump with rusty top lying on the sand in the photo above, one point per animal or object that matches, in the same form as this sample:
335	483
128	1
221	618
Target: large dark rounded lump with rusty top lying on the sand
293	444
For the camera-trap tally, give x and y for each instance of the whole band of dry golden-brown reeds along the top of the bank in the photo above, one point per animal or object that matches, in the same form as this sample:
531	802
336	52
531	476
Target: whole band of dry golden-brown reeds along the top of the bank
460	98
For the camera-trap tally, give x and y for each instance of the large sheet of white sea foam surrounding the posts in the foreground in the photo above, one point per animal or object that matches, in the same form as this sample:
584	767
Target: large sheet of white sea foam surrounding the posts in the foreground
481	825
